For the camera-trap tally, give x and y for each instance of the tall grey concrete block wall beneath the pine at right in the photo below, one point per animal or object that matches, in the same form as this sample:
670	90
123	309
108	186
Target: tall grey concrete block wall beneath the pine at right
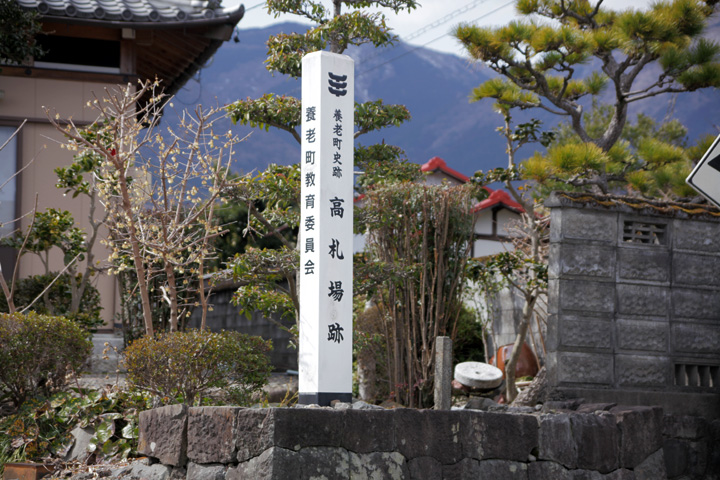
636	322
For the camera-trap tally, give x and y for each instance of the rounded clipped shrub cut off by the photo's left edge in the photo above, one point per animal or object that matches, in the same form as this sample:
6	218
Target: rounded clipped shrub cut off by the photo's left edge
38	352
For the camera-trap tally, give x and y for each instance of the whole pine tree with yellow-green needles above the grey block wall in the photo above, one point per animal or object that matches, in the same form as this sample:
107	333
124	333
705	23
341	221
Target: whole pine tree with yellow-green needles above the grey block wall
540	62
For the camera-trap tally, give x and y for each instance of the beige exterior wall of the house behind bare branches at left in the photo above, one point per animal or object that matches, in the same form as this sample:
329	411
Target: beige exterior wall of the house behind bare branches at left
40	152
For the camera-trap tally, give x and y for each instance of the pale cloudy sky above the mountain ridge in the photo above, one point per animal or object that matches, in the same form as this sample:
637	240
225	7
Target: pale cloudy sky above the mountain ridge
430	24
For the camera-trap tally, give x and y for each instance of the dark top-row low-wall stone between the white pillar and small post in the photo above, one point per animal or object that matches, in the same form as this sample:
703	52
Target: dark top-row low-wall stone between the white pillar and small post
377	428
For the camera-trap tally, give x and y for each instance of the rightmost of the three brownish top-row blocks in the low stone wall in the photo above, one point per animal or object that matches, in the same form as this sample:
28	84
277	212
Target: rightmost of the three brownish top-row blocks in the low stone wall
255	432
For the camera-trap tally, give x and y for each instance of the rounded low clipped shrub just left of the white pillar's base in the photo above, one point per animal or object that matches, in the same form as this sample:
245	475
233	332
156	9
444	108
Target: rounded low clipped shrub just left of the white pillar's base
181	366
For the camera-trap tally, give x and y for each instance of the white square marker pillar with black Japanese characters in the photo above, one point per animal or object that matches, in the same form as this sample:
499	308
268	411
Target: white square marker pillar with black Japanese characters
326	228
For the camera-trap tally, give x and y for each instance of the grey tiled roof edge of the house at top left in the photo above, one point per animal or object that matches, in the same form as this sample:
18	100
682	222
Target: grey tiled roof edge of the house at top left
132	11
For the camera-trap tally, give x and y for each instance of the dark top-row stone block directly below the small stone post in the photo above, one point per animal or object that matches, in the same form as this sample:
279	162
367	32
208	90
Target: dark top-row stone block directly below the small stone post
429	433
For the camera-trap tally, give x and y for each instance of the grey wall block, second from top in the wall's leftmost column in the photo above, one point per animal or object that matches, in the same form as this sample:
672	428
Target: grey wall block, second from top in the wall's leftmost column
582	259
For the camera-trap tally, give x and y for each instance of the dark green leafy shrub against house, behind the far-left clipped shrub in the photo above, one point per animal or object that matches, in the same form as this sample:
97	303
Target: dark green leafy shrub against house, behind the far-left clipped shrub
60	297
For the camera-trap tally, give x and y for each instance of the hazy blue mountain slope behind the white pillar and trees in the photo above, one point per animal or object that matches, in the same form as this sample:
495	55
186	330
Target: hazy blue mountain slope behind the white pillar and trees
434	86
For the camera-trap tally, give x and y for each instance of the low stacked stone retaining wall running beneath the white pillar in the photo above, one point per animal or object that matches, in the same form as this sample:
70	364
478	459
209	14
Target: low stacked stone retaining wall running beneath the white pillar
598	442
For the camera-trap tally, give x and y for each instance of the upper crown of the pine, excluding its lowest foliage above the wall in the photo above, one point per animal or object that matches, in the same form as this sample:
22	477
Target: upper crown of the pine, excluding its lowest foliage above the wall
538	57
